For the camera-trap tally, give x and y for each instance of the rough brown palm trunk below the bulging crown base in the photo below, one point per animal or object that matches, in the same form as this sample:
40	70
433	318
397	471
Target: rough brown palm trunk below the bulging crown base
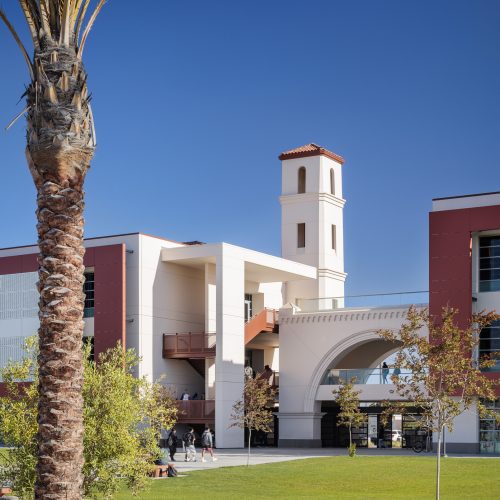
60	420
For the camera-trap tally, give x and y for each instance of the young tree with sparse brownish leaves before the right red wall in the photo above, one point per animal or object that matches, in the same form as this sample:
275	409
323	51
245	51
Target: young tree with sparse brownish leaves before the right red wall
446	377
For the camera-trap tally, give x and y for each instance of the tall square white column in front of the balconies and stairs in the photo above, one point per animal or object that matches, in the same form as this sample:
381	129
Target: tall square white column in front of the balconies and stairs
230	347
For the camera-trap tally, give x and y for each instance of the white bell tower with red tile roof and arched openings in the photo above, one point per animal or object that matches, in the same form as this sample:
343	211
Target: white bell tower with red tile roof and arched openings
312	229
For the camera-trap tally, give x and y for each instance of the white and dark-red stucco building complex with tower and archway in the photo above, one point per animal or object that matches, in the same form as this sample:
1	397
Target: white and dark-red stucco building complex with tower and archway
197	313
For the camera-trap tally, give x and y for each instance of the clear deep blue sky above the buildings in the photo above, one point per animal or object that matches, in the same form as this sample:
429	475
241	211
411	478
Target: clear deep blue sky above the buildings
195	100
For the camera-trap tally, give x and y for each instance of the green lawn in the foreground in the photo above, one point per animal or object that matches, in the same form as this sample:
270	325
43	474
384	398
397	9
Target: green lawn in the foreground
337	477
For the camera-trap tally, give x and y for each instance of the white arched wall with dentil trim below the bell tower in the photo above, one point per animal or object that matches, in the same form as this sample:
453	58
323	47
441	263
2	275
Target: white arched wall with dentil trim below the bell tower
310	344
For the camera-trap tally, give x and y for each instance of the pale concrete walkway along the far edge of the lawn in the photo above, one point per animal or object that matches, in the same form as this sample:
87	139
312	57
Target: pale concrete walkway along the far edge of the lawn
232	457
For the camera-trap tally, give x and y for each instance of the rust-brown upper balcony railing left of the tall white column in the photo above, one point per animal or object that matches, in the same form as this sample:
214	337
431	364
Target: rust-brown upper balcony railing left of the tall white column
189	345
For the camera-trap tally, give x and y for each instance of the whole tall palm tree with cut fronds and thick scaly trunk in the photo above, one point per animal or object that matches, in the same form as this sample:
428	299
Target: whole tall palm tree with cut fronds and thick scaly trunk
60	145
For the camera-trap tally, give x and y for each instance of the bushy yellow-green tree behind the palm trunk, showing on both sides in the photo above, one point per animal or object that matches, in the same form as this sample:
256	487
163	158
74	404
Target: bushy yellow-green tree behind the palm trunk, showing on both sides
123	417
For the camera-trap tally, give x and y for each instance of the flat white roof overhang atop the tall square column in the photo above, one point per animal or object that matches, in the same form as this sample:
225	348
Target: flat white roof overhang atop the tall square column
259	267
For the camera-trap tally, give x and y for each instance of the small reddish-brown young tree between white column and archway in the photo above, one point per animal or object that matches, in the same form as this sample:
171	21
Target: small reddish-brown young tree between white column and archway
253	411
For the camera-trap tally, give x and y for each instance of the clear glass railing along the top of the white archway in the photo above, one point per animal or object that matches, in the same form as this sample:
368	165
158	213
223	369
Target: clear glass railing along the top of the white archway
363	301
